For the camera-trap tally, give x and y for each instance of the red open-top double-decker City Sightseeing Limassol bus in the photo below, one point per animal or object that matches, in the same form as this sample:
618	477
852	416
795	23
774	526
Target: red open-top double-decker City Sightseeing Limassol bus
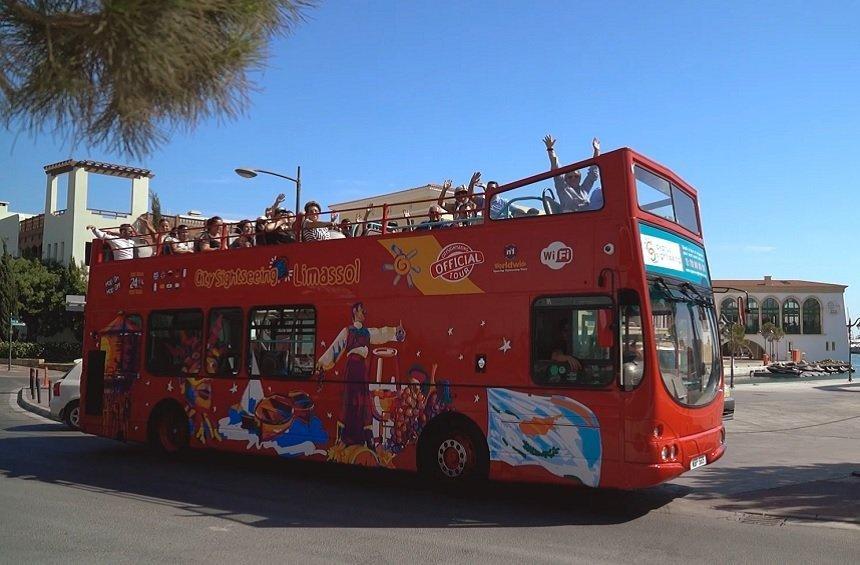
566	333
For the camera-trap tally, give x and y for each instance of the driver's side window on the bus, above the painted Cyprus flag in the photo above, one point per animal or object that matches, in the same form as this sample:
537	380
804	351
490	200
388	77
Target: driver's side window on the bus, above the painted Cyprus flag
566	349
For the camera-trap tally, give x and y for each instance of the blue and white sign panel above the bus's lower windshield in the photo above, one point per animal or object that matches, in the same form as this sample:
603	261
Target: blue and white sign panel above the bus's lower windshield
668	254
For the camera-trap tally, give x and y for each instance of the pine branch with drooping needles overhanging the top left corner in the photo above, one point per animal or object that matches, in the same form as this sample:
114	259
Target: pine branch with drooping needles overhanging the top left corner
125	73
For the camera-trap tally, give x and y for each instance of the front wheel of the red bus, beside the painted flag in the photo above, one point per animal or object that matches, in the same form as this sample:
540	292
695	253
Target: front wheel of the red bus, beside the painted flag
454	453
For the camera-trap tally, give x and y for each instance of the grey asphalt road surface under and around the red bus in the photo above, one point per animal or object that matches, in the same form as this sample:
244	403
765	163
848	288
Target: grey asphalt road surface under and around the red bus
66	497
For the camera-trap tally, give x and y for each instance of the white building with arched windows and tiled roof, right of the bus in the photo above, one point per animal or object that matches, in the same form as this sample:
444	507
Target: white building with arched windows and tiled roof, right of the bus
811	315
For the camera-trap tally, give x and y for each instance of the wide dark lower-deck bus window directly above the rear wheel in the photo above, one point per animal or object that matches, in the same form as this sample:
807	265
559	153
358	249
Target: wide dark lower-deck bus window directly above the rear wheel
174	342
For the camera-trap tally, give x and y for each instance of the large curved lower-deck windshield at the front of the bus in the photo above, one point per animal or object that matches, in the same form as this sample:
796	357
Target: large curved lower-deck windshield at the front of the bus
687	344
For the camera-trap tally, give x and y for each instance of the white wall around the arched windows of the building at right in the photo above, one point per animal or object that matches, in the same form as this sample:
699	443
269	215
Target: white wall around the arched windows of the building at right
815	347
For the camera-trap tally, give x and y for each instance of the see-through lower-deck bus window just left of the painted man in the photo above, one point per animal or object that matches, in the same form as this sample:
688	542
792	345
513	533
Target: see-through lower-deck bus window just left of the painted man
282	341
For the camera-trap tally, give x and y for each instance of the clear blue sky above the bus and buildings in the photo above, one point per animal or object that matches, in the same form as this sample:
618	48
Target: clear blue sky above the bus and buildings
754	104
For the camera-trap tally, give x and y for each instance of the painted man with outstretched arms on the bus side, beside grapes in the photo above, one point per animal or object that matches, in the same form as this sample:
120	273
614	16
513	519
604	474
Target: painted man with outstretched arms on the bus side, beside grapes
353	342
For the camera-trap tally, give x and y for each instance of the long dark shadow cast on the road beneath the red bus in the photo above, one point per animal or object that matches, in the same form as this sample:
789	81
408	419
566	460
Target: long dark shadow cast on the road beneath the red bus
270	492
